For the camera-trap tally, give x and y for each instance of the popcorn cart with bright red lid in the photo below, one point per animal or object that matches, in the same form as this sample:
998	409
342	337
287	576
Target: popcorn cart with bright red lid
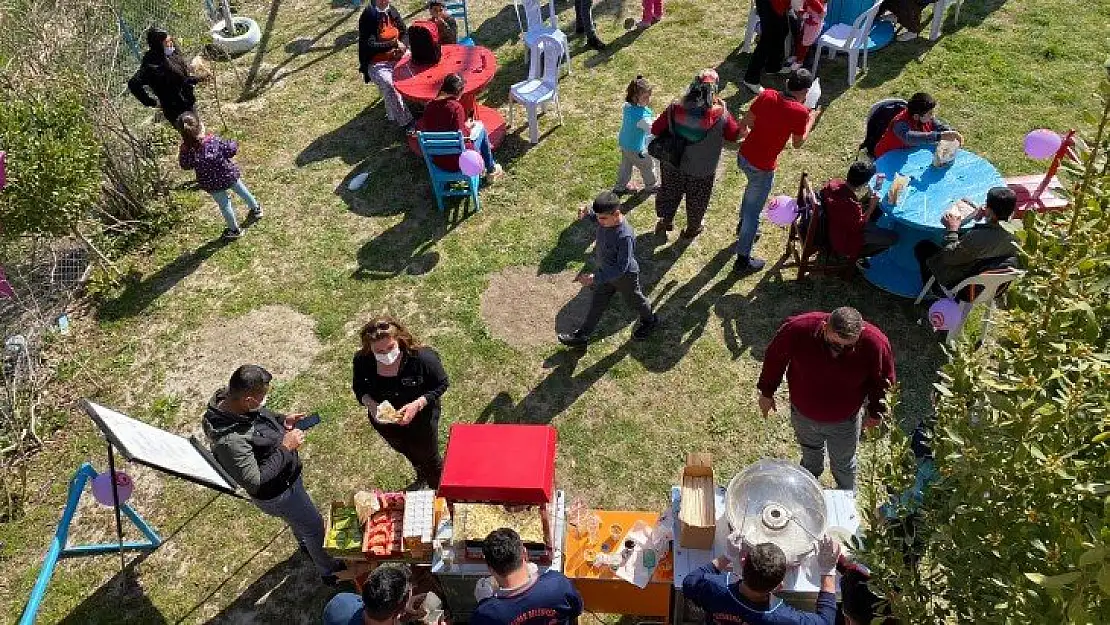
496	477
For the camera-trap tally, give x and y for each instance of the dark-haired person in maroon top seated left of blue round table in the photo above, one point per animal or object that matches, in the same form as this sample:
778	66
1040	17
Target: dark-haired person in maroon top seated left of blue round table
853	233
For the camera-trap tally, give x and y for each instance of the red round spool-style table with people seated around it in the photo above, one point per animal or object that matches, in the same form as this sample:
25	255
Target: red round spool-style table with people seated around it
478	66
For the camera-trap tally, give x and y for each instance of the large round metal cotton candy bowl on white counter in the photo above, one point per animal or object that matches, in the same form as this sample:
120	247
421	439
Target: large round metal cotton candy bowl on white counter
776	501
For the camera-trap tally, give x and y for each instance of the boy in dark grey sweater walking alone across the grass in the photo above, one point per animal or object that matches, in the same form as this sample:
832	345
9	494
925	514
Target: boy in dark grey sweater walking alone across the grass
618	271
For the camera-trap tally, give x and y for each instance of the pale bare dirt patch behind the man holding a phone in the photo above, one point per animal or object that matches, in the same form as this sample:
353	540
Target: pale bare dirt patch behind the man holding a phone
278	338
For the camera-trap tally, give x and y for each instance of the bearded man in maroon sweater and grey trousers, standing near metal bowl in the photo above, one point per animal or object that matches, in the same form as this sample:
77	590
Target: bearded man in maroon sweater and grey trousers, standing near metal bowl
835	365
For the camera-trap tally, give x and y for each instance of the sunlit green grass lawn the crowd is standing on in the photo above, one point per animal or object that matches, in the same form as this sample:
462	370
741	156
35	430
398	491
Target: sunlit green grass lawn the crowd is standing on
628	414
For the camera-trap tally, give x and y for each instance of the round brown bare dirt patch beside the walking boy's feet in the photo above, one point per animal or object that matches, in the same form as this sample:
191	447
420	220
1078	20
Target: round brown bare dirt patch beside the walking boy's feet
527	310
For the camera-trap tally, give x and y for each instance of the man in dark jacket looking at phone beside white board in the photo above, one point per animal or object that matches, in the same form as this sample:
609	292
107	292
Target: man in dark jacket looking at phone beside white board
259	449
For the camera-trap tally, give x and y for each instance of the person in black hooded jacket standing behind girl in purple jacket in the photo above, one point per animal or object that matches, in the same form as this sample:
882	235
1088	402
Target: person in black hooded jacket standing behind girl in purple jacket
165	72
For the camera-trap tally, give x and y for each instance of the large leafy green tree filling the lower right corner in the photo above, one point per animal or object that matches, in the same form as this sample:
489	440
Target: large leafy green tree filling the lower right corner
1017	527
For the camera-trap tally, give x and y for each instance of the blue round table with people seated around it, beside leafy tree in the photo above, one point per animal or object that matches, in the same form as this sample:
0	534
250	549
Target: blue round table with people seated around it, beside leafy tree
917	216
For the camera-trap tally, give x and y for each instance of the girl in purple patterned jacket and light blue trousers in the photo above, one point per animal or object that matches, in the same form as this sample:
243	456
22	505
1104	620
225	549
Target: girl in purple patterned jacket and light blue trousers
210	157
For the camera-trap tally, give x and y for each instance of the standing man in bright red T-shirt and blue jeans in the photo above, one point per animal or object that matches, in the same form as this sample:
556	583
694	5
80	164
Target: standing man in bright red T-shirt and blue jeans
774	118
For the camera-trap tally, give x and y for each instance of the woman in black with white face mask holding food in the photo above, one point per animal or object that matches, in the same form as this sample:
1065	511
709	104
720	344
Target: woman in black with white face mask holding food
393	367
